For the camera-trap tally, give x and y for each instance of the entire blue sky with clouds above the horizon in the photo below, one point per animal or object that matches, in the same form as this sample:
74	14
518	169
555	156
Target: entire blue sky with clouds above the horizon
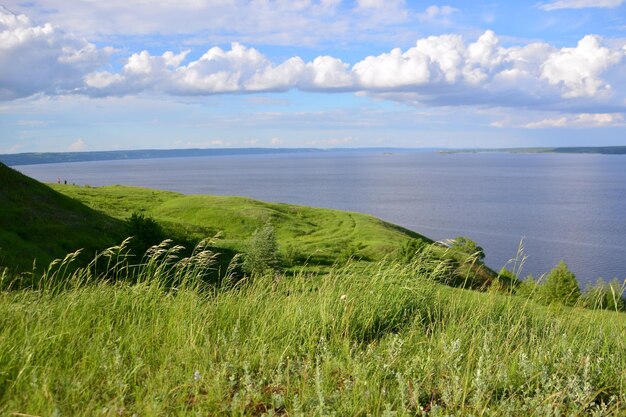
87	75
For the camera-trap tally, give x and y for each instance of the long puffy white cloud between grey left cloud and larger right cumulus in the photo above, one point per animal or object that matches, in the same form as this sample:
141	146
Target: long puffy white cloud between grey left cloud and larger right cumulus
218	71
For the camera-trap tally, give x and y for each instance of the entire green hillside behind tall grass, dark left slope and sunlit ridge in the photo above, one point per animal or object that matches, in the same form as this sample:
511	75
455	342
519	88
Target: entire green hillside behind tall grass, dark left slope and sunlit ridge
44	222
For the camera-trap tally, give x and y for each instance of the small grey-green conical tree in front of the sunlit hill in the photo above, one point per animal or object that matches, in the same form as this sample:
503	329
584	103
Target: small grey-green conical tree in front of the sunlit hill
262	251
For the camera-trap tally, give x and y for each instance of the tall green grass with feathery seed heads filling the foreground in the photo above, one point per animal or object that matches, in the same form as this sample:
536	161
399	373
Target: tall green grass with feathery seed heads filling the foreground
150	338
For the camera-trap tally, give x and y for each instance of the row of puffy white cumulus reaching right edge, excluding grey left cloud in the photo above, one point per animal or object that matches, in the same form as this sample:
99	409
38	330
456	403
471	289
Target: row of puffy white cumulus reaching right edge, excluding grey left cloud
441	70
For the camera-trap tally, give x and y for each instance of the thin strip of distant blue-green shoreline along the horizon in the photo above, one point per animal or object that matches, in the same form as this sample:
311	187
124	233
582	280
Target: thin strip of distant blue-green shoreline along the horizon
35	158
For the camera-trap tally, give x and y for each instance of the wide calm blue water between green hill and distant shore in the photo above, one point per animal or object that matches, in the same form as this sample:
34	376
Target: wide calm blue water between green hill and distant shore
570	207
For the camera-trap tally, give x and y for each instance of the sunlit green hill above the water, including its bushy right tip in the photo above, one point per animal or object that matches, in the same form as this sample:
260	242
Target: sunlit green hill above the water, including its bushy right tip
307	236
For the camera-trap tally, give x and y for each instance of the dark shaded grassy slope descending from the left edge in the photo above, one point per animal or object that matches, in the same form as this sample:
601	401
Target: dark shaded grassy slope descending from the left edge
37	222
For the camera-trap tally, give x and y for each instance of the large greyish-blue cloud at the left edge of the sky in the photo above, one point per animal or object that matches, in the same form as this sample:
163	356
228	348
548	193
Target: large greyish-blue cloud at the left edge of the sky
42	58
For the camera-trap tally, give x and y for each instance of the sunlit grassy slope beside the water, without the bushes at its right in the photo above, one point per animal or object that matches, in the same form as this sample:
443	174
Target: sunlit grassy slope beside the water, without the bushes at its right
318	234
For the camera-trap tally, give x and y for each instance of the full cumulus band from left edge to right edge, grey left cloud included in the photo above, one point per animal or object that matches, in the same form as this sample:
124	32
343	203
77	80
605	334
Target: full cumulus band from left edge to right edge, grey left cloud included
437	70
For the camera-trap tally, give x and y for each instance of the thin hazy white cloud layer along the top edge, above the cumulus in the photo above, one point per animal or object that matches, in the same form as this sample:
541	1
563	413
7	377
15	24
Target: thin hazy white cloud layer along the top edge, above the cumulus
277	22
